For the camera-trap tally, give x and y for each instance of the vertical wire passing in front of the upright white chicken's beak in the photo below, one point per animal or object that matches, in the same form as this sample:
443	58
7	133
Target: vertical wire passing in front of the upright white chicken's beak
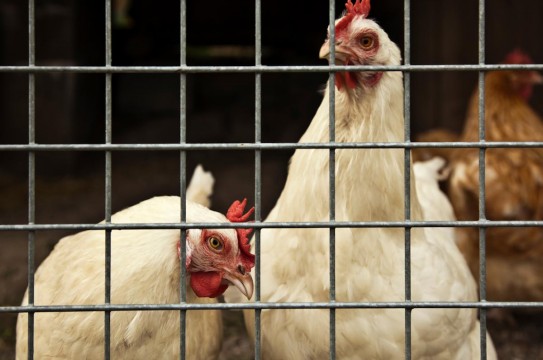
332	179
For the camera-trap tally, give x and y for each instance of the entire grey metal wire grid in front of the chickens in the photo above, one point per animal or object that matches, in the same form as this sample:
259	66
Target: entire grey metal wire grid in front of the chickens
183	69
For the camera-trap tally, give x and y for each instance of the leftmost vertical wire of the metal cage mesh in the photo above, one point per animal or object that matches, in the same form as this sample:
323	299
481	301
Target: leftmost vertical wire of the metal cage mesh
31	174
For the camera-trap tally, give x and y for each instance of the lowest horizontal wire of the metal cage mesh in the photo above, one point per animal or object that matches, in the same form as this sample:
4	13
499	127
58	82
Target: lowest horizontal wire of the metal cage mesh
274	305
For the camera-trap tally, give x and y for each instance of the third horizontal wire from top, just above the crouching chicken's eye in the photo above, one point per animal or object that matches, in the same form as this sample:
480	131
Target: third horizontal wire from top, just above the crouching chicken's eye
274	225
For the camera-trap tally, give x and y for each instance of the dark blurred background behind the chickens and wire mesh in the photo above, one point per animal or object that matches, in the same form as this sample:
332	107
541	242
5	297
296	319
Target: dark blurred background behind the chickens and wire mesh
70	107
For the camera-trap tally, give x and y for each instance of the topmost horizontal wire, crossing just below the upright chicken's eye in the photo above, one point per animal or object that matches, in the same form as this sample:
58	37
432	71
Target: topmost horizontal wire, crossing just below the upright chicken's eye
263	68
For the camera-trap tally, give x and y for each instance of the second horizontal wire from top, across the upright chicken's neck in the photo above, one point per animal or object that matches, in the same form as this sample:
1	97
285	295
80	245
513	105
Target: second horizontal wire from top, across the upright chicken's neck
268	146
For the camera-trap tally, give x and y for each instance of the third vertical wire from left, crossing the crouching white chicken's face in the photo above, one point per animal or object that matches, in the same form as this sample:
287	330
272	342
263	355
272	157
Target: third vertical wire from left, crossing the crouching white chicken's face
183	175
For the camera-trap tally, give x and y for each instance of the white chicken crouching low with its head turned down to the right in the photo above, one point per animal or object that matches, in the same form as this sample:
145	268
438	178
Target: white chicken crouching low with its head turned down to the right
144	270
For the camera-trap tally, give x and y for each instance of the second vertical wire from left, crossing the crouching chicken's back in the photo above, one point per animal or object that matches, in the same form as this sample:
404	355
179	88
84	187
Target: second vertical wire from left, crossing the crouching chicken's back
108	134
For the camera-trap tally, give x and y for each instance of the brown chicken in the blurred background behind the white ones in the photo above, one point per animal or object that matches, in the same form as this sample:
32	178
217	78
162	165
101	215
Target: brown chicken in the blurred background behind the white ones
514	185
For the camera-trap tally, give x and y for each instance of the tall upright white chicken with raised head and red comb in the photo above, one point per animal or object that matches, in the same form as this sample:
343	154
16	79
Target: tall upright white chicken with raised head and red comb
369	262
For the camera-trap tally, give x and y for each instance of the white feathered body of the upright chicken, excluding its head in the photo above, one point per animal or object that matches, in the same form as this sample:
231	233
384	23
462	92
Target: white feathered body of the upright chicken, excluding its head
369	262
